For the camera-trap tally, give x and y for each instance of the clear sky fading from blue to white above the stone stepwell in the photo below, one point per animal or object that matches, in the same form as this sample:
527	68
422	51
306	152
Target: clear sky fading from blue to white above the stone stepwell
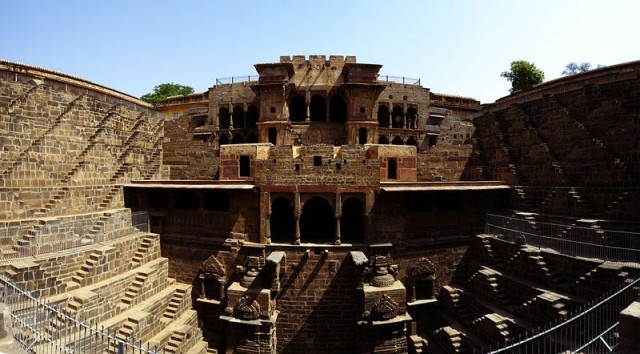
454	47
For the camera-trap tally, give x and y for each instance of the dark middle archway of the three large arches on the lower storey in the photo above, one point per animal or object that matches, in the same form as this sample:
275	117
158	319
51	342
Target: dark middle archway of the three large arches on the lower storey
317	222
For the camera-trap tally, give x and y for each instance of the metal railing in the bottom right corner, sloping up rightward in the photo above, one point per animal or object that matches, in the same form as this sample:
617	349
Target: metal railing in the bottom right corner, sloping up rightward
589	329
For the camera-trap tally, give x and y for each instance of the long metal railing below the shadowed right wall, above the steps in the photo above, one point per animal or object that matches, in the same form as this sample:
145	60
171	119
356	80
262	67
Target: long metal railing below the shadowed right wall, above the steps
569	239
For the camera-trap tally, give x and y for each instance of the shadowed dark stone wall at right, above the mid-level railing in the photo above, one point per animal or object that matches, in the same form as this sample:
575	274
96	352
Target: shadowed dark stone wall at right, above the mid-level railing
570	144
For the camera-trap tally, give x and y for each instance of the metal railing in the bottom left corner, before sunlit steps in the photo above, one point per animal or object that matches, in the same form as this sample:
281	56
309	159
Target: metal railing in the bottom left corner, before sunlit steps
41	327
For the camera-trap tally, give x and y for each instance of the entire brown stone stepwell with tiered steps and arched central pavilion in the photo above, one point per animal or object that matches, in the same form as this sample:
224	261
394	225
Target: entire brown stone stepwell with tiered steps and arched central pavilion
318	206
